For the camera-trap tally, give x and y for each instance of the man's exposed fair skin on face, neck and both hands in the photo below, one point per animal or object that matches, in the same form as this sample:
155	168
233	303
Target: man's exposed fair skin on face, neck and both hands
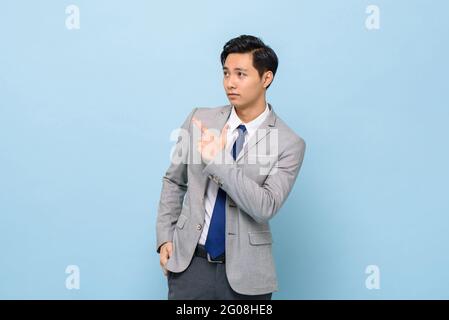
246	90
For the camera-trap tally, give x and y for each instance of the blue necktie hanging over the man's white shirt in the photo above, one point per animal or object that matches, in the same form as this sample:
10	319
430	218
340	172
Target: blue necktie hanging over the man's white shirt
215	242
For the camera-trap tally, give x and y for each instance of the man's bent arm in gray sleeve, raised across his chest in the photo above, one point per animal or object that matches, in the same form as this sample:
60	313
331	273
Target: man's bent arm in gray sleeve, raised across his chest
260	202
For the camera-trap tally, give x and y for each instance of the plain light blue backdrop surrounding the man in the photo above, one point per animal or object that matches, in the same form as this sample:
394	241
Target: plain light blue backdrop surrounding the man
85	118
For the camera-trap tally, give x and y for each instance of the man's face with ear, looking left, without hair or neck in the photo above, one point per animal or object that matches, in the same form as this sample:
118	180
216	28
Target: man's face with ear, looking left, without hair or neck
241	81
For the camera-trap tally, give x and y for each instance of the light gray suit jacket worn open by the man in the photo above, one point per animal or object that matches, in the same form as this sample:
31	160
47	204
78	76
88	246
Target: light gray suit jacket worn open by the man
257	183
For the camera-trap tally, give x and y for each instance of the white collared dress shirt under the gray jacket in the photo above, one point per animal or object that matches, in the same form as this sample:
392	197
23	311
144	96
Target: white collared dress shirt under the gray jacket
212	188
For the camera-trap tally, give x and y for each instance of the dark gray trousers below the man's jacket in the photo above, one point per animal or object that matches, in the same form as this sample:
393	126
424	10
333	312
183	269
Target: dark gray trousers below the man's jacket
203	280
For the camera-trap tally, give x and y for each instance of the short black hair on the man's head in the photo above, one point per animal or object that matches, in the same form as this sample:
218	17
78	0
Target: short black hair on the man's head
264	58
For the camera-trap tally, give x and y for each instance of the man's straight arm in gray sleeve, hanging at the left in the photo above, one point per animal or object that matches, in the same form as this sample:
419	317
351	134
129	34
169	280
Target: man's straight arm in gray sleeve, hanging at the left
174	187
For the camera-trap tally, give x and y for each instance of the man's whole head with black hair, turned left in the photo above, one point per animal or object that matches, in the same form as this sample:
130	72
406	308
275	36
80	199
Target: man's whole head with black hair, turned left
249	67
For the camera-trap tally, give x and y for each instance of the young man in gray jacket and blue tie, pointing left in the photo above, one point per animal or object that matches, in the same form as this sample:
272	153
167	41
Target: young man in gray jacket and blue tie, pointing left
217	198
